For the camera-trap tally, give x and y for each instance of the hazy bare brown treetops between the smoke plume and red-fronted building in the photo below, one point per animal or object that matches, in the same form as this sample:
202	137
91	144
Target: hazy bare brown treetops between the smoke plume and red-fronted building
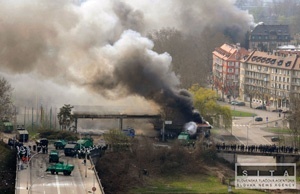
191	54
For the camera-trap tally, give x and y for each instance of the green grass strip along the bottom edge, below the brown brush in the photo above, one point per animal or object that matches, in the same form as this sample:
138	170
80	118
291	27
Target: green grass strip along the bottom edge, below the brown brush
188	184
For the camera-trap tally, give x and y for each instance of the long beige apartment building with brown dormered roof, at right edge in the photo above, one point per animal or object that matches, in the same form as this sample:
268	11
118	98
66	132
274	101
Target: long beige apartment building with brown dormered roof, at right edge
270	78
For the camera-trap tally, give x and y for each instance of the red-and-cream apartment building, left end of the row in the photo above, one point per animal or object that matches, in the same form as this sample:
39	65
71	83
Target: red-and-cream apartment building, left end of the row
226	69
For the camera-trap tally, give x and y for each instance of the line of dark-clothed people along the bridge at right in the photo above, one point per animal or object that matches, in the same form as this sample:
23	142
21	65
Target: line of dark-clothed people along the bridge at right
257	148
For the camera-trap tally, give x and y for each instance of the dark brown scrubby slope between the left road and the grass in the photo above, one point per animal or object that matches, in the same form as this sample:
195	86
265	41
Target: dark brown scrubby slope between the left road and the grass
124	169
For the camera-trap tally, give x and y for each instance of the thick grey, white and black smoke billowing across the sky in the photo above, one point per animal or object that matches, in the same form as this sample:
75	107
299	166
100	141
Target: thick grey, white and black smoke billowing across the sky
101	45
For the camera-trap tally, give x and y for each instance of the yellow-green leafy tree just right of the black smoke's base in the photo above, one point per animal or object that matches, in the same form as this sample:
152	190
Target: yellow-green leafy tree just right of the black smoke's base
205	100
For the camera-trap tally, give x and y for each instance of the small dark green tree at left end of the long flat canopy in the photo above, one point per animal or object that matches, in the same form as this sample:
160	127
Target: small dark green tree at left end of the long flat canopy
65	117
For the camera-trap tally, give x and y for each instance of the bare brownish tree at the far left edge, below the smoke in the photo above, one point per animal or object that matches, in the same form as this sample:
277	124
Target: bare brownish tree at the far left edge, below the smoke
7	110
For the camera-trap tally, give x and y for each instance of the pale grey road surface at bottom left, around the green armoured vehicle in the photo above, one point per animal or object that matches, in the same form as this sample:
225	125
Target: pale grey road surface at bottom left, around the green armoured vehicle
35	180
